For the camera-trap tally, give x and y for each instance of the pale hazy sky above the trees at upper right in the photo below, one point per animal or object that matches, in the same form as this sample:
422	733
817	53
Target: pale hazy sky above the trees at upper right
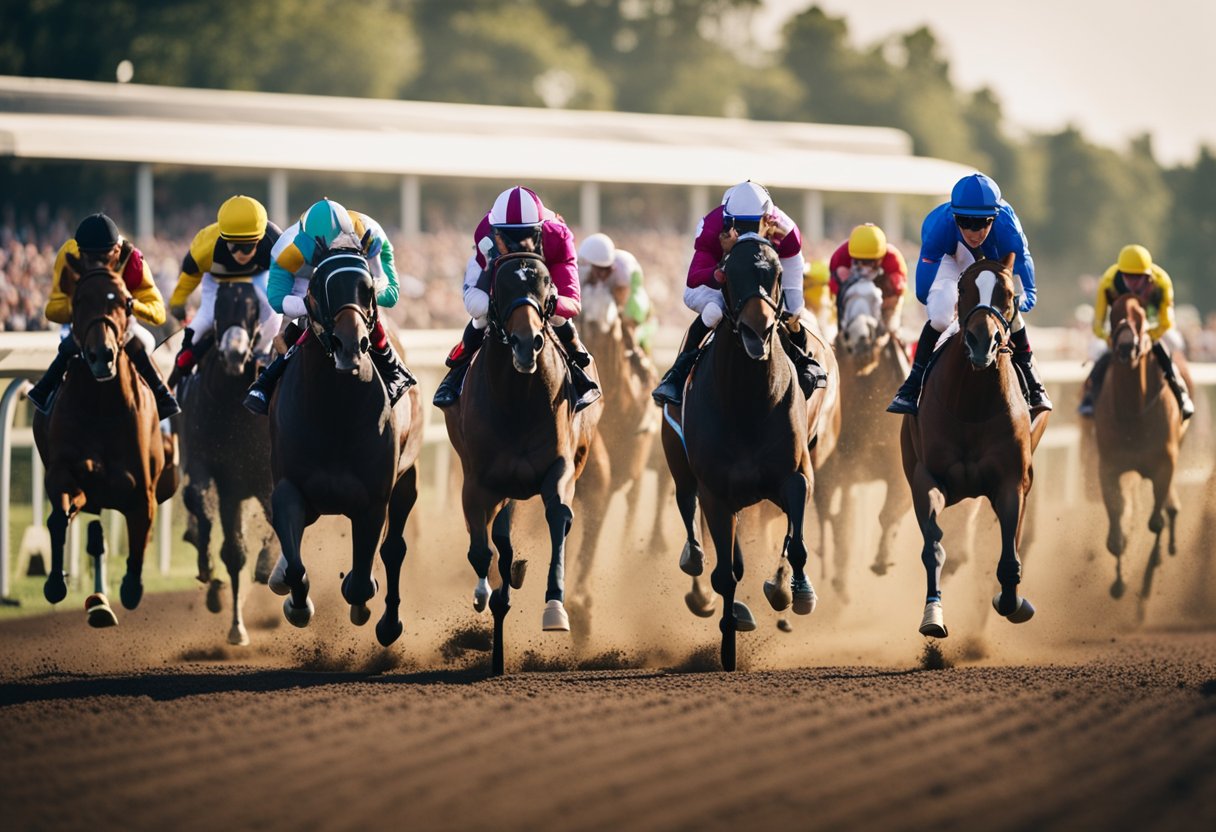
1116	69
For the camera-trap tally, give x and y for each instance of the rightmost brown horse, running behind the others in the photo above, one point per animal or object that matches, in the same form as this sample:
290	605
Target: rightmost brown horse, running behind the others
1139	429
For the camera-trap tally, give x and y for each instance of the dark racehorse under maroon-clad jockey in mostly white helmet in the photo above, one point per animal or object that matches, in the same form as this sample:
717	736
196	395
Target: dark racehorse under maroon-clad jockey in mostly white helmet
744	437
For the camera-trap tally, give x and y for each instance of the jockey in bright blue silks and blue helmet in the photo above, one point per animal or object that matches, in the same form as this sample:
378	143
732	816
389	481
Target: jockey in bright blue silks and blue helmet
976	224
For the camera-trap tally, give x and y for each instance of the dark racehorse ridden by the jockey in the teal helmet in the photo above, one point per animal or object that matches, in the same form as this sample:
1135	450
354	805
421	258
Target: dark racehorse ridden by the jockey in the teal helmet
337	447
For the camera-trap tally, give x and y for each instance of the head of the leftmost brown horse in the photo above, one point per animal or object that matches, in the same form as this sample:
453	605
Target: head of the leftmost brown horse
102	308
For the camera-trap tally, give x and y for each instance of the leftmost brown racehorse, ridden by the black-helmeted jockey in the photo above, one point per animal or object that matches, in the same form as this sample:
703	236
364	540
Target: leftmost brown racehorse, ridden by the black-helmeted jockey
103	445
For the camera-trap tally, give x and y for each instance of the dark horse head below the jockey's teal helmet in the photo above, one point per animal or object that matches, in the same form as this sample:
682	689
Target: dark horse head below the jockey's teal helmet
342	310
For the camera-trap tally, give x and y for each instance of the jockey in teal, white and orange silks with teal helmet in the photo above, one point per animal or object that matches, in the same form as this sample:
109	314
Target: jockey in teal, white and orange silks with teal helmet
328	226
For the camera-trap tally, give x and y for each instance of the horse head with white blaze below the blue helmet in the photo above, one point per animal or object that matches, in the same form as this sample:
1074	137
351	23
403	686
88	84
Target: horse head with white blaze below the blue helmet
987	308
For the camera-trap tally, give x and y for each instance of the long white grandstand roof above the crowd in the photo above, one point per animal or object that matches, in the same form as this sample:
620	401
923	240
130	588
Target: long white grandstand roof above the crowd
88	121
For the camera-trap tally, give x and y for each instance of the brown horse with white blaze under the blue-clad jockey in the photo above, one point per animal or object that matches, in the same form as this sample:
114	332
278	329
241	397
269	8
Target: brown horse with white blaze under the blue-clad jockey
975	437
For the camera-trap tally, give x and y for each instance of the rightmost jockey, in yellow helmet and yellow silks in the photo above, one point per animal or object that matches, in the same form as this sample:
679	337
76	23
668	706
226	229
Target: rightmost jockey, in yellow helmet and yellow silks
1135	273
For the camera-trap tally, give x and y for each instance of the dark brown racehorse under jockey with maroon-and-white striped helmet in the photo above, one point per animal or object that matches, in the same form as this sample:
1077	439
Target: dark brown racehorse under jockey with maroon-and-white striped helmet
517	436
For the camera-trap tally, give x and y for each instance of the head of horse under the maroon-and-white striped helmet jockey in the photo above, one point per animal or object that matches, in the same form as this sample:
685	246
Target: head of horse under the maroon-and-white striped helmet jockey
522	301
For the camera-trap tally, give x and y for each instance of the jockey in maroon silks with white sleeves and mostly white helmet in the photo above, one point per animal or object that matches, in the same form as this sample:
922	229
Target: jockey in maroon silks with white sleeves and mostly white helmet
747	211
